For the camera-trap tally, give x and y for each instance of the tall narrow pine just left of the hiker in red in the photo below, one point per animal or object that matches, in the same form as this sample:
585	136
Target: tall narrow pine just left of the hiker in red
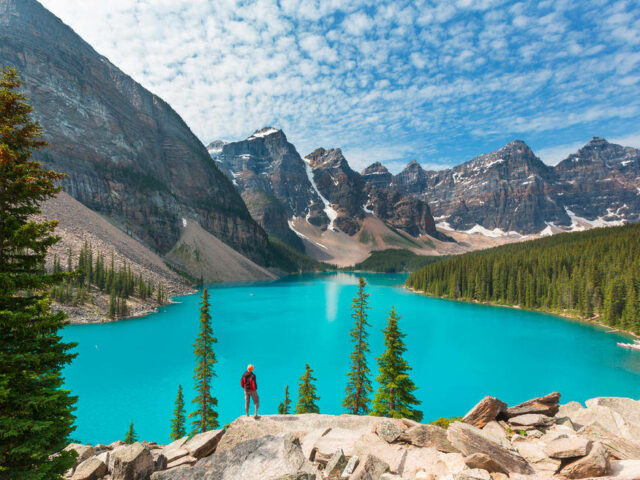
205	416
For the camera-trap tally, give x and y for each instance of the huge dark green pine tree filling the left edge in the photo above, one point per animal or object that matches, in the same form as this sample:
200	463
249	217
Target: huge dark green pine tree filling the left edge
36	416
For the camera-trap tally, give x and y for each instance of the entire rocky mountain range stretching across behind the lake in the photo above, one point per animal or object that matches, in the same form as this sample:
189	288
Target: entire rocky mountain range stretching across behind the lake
131	159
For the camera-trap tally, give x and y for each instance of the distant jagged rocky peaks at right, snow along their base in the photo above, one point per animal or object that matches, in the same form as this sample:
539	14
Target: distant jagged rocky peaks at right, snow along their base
512	192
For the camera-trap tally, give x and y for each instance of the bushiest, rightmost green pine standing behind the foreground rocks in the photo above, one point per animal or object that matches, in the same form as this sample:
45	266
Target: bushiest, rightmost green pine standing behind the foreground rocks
394	397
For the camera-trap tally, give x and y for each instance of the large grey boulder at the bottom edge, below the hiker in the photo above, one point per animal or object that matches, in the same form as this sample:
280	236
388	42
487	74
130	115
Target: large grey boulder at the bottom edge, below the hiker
268	457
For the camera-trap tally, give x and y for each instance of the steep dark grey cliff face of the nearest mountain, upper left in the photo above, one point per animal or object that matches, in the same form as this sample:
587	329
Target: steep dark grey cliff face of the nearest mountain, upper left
128	154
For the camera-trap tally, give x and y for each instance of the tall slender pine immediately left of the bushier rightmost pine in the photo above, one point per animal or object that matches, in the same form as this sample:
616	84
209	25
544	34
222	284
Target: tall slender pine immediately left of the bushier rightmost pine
358	387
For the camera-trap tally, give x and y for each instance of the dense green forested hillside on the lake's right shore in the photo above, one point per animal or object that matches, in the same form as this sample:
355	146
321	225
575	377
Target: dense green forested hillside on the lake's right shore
596	272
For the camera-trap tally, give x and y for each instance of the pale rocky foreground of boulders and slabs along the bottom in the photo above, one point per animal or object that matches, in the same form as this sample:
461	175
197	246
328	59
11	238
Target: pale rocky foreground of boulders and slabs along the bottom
533	440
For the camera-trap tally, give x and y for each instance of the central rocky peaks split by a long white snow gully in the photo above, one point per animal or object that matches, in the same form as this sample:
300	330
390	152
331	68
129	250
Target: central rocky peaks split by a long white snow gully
279	186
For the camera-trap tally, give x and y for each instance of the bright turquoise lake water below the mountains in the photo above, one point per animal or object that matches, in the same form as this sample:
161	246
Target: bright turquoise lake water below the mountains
459	352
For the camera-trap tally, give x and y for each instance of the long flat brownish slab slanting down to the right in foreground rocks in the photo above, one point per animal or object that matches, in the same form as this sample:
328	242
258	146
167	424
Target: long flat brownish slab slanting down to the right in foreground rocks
469	439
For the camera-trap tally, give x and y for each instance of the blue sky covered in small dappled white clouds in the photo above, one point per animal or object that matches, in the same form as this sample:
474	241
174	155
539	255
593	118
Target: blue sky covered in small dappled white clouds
438	82
